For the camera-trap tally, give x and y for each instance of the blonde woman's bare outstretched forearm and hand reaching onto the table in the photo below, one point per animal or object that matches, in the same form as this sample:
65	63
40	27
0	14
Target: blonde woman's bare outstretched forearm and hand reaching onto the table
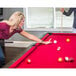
34	38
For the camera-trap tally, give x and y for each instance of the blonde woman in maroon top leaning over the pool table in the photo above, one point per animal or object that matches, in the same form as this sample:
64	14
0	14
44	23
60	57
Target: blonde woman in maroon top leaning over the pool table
12	26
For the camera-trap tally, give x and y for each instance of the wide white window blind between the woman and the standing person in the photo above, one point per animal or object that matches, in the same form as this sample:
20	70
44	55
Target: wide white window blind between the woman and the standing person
40	17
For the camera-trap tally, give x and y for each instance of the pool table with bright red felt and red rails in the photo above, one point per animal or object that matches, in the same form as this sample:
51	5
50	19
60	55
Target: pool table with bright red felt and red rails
46	56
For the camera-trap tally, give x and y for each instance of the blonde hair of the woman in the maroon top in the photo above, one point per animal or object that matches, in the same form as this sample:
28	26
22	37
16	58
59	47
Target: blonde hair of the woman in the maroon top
16	18
